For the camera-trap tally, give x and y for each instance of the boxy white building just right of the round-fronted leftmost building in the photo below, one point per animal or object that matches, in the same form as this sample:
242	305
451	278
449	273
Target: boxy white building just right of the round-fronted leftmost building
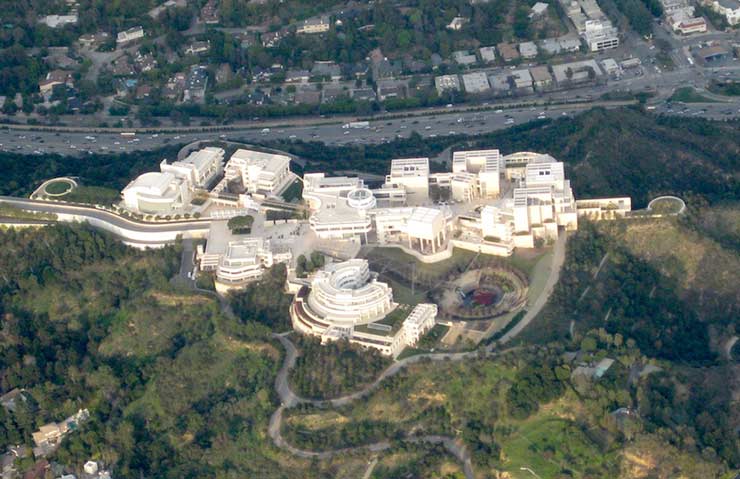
260	173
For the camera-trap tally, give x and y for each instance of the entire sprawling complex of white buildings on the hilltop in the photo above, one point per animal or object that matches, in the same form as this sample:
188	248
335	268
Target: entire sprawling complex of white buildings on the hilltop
488	203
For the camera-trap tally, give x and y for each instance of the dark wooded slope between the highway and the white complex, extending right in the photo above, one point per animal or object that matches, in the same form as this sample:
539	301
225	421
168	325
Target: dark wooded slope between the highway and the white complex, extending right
621	152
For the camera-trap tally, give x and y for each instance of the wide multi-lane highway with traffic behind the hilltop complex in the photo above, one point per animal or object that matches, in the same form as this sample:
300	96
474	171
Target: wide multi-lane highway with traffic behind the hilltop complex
379	131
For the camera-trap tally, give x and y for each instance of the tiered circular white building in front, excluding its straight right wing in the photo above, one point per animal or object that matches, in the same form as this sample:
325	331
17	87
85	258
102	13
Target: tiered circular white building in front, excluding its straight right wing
340	297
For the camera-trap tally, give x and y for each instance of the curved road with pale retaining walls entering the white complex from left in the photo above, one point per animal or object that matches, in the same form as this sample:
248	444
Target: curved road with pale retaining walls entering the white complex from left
135	233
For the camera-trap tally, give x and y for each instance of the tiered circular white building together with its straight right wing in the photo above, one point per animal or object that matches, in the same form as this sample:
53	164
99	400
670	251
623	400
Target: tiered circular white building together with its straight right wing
345	300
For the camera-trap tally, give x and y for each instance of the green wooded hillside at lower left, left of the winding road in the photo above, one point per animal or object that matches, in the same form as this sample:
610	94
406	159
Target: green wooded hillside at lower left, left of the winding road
174	388
